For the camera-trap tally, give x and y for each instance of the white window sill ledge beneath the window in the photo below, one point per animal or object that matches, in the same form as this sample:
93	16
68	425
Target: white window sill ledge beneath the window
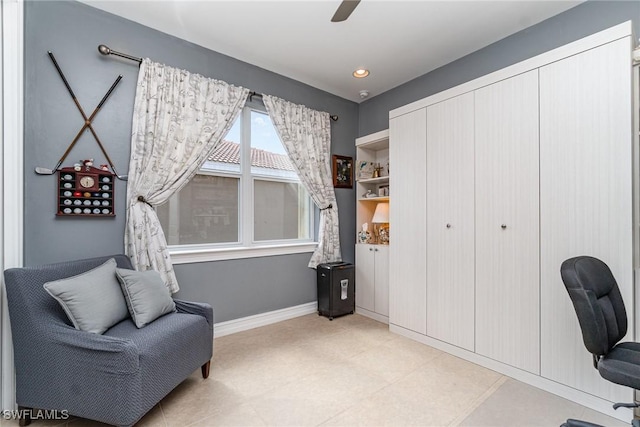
188	256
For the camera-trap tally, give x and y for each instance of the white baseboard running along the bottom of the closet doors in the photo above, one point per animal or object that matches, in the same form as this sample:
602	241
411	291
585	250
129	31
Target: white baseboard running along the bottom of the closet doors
577	396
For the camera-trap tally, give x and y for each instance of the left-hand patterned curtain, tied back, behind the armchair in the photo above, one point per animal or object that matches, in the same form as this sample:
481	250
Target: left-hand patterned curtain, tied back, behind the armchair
178	120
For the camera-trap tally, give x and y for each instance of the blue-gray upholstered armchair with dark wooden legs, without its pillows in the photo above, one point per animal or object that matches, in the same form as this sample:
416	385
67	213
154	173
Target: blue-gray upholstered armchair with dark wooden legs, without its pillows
116	377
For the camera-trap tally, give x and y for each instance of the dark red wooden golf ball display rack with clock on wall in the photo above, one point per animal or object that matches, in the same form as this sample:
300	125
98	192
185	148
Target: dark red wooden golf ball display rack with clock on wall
86	189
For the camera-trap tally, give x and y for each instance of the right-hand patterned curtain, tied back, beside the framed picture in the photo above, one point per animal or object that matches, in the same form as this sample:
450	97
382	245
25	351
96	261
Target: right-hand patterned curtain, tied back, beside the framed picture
306	135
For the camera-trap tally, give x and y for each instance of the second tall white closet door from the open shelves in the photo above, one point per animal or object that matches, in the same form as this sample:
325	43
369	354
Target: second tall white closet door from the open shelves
450	221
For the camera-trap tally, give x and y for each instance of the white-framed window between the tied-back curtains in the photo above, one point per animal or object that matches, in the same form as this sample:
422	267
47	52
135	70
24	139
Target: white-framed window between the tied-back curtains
247	195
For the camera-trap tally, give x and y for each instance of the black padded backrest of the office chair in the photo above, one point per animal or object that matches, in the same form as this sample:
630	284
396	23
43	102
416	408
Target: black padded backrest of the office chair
597	301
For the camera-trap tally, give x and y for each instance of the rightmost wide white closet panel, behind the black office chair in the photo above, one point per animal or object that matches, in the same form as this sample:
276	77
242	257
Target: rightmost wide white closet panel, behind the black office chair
586	197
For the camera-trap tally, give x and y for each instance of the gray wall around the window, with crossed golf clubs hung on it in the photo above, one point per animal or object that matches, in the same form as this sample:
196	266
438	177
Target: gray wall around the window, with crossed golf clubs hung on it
73	31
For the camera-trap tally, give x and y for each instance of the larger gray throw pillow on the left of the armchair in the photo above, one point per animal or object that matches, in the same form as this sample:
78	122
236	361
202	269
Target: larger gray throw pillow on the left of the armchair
93	300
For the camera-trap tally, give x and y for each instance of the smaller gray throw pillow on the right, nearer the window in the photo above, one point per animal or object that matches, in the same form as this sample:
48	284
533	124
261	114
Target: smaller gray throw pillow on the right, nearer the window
146	294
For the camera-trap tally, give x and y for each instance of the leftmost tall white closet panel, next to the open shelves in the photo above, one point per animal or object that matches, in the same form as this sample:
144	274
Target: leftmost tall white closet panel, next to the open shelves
407	211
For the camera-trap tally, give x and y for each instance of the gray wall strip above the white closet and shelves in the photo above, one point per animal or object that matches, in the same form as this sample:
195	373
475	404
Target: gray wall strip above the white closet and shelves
578	22
